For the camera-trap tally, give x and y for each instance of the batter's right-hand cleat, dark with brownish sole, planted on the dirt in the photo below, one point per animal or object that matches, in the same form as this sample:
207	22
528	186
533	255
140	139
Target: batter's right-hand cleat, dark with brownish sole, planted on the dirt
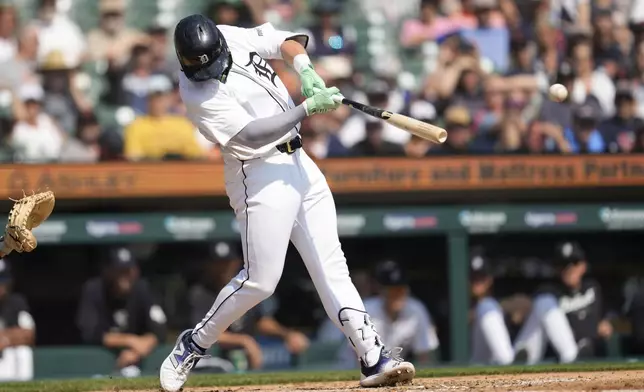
390	370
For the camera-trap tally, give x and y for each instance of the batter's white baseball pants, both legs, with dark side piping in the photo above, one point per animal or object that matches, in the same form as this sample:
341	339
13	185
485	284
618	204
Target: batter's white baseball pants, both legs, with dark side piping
279	198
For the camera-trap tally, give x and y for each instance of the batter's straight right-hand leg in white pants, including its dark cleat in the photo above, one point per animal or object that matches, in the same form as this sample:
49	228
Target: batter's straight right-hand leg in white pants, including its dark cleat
315	235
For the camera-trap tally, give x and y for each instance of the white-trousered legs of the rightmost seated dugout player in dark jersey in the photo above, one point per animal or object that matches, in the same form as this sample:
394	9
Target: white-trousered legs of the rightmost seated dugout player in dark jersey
546	323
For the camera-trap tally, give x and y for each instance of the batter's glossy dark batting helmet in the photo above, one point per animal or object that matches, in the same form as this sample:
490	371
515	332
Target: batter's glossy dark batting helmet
201	49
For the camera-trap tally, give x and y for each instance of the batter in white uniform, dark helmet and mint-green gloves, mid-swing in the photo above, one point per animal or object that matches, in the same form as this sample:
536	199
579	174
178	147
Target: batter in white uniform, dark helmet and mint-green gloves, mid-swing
277	192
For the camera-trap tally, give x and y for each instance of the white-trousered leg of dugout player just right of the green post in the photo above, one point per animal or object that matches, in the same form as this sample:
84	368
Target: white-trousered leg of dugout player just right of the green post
491	339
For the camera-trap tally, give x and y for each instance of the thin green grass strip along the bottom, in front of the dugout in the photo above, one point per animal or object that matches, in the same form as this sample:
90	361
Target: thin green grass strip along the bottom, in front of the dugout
221	380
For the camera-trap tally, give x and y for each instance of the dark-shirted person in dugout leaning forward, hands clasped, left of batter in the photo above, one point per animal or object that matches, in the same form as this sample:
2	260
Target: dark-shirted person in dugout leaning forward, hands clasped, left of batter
118	311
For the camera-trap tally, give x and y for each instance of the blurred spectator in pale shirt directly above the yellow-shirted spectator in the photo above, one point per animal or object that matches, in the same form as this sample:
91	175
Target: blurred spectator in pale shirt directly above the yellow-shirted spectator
138	80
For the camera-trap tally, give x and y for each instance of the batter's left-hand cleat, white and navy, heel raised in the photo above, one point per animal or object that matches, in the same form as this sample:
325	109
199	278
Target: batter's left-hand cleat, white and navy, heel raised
177	366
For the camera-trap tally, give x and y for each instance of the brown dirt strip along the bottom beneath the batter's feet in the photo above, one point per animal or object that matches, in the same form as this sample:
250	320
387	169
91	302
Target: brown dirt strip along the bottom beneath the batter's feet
629	380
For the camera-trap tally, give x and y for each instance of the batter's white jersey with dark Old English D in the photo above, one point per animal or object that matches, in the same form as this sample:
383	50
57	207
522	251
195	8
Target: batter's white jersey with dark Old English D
252	90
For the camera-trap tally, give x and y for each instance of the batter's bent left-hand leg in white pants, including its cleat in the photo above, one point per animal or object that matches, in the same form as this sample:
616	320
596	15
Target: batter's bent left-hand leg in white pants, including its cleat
265	205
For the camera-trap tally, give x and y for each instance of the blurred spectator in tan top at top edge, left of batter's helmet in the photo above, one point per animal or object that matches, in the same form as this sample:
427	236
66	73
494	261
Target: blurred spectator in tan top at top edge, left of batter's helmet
112	40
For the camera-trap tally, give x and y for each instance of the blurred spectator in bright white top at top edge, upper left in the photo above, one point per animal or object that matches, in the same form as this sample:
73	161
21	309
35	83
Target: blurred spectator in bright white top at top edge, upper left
57	32
